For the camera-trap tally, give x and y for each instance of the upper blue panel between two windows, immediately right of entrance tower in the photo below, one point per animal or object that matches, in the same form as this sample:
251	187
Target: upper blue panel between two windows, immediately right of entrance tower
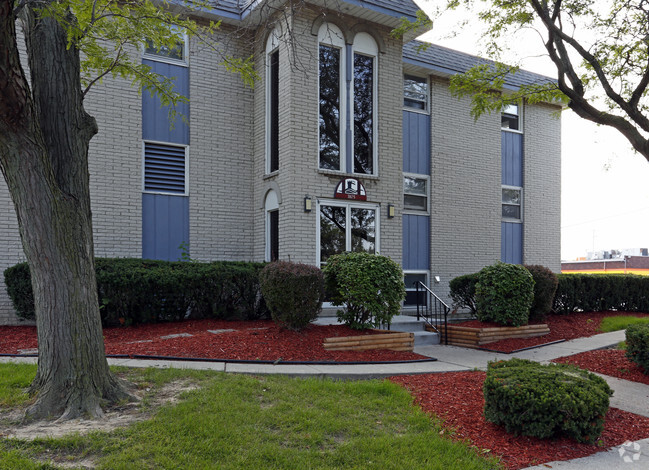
416	143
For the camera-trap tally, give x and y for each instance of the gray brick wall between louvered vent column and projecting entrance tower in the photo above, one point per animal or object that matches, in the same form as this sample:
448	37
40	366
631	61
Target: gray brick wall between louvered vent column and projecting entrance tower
220	154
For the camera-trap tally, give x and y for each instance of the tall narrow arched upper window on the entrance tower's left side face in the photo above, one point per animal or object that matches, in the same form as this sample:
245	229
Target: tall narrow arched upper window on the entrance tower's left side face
272	103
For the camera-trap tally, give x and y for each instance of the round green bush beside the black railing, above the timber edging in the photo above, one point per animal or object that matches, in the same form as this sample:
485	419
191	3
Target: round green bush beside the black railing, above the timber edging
504	294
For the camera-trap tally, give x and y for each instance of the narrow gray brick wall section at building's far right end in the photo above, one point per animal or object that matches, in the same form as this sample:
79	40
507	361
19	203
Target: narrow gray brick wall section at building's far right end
542	187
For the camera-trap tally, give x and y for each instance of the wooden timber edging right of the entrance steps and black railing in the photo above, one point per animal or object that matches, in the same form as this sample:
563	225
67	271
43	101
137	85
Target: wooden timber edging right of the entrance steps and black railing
470	337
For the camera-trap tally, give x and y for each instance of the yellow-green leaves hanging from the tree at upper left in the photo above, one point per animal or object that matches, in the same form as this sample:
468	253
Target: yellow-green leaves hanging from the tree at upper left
111	35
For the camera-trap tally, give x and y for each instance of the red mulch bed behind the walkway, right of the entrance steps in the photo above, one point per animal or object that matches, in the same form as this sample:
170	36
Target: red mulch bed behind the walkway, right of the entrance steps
562	327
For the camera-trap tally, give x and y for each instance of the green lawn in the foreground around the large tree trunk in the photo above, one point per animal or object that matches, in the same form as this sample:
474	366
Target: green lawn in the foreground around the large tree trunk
240	422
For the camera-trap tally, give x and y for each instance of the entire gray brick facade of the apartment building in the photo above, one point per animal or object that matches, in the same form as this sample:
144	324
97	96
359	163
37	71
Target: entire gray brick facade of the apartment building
227	170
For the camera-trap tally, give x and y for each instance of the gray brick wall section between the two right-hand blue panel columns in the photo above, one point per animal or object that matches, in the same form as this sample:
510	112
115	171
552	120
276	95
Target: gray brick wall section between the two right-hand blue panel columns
465	188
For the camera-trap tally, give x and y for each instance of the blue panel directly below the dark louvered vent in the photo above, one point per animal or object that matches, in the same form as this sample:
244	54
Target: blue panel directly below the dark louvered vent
165	226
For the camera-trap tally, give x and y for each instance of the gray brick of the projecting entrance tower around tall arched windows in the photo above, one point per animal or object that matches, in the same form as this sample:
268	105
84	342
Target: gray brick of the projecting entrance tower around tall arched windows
298	174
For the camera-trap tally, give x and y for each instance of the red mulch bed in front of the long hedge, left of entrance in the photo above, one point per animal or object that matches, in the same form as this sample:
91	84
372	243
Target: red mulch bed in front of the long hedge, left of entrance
258	340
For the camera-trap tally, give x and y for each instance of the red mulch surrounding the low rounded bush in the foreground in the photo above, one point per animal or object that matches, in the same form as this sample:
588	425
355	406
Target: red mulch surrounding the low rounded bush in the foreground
456	398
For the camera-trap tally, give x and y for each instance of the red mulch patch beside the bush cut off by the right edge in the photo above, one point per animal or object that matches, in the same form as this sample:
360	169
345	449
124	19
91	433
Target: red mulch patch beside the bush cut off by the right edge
611	362
